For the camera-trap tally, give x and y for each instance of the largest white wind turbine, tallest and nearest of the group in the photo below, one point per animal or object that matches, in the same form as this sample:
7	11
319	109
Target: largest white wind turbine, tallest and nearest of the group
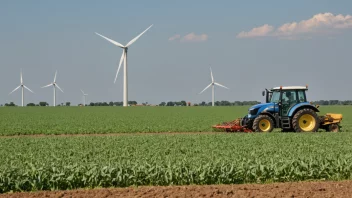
124	59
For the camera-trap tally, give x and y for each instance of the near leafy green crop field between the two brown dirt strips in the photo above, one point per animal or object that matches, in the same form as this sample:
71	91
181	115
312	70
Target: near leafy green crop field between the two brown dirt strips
48	163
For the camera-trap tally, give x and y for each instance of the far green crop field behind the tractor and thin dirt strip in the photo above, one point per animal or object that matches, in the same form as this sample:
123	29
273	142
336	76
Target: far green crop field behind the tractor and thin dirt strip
89	120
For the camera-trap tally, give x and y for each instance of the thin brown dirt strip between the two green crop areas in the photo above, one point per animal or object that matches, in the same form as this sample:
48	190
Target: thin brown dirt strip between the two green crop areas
110	134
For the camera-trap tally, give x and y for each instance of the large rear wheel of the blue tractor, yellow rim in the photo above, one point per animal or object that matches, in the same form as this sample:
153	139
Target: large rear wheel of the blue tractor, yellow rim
305	120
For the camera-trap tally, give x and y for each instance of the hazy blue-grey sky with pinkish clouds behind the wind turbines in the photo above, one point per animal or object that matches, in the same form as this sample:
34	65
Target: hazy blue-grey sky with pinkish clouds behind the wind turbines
250	45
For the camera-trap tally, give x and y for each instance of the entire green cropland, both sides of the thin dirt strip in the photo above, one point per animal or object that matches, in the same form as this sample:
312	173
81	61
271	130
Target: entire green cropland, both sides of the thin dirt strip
70	162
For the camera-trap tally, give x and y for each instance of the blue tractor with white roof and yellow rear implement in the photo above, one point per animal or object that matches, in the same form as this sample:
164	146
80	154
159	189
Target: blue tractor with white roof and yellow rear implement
287	108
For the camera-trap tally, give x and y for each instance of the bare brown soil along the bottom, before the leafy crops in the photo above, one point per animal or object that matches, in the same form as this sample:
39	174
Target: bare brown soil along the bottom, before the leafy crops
297	189
